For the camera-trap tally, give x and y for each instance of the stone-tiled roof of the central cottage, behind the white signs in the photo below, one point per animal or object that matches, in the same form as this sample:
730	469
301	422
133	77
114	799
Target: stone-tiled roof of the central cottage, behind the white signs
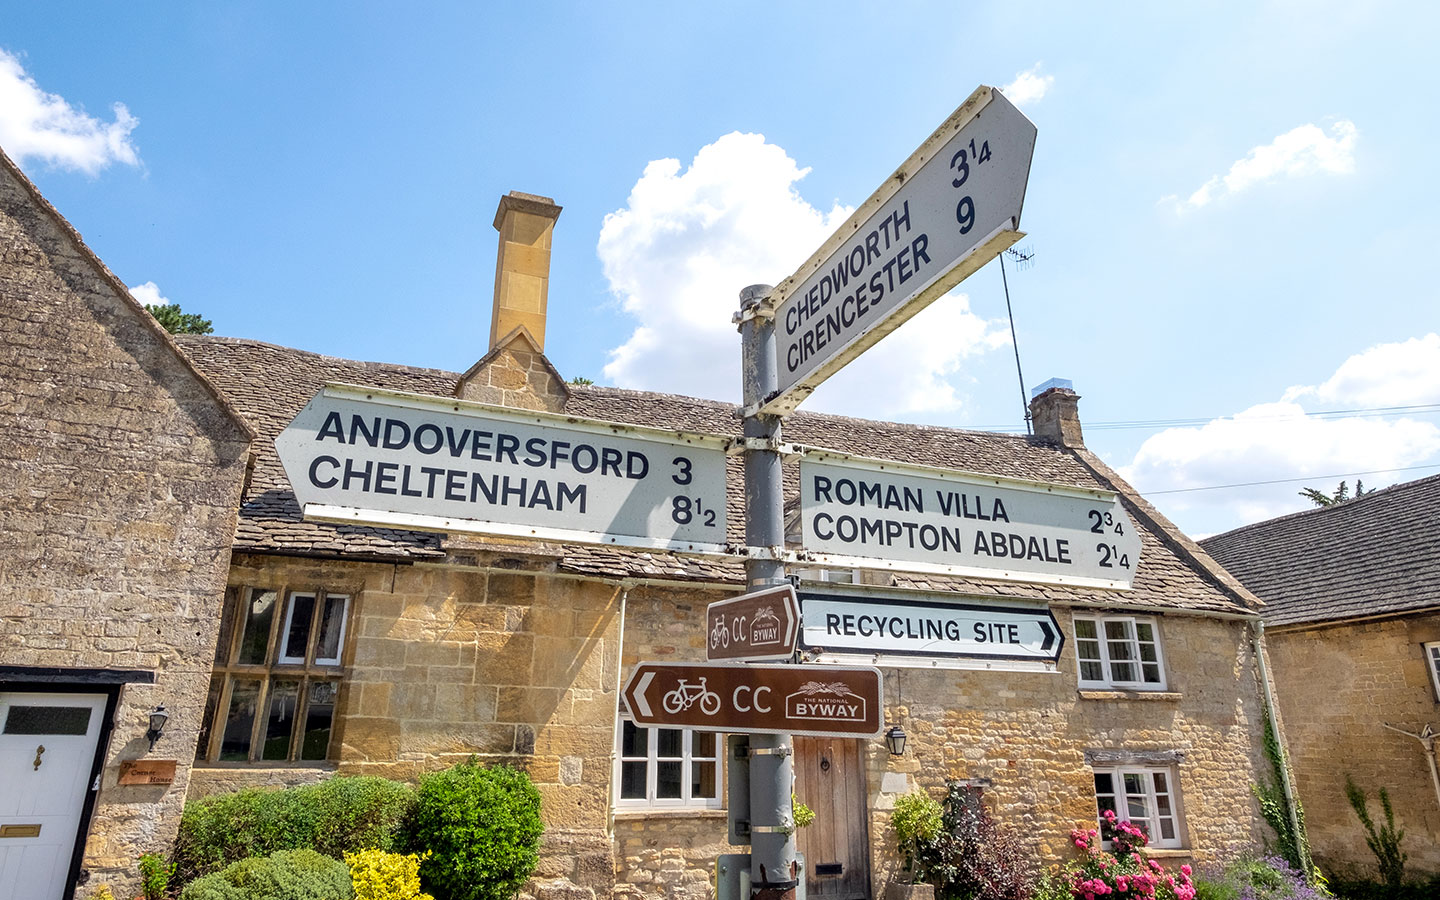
271	384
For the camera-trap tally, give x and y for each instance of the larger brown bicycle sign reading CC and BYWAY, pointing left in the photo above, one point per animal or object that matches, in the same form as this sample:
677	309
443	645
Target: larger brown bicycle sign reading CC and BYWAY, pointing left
820	701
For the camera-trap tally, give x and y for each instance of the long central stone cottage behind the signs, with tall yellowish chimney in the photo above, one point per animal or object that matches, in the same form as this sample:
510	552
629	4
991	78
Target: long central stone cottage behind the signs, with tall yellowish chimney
378	650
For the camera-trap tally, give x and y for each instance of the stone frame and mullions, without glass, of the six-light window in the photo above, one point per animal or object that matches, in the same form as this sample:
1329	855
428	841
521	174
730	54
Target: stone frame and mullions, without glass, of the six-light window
228	670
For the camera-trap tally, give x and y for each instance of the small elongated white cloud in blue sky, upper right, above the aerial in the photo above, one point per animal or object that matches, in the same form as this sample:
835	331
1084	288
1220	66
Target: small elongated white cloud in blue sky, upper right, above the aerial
1301	152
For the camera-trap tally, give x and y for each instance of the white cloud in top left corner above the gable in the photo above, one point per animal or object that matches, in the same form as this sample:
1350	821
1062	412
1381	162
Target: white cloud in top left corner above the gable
44	127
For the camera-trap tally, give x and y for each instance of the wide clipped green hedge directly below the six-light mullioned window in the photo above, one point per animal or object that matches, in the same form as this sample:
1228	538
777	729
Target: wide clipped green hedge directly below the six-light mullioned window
336	816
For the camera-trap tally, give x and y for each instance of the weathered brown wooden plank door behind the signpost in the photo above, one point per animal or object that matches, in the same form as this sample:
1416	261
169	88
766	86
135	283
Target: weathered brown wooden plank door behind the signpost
830	778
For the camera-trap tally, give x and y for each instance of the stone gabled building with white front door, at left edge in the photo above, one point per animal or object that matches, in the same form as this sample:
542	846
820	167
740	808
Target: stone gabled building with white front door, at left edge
120	483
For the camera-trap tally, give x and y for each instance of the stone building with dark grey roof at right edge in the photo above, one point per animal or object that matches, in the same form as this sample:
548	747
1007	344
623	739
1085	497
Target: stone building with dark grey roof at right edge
1353	621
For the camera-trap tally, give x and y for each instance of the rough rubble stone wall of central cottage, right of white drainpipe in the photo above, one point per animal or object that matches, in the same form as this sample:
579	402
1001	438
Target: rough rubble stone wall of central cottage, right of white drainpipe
1026	735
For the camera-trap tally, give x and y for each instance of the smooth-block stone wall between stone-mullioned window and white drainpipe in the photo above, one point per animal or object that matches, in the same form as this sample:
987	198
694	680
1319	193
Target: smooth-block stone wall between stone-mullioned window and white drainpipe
451	662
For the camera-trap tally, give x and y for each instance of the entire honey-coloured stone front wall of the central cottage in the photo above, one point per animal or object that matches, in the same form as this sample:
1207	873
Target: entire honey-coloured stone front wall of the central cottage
522	666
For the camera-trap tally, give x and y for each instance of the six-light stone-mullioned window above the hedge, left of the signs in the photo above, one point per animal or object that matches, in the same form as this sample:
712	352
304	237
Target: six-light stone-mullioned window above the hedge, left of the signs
277	675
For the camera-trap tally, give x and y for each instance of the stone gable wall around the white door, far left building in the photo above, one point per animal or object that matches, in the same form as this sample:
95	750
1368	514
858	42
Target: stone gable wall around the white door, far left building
120	480
